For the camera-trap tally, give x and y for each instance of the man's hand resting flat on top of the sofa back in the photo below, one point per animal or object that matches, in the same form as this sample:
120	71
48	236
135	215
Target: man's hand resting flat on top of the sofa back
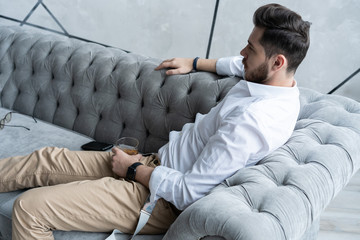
178	65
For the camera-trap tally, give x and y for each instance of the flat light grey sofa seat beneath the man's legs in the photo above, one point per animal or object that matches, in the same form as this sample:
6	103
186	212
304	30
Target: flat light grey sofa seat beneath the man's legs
41	134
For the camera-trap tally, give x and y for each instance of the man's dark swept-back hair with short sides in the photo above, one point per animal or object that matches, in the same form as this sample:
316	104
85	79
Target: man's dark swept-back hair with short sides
285	33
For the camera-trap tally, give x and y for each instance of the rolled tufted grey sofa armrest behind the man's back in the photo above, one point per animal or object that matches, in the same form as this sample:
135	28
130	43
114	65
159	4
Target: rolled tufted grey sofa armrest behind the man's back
285	193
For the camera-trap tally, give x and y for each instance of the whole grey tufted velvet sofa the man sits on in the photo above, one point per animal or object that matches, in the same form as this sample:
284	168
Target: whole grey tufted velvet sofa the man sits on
81	91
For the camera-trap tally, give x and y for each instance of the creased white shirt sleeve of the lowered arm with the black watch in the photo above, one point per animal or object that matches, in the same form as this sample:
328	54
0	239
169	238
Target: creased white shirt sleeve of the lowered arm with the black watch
236	140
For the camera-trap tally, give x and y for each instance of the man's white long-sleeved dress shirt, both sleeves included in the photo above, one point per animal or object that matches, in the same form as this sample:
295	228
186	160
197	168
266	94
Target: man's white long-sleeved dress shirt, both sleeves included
249	123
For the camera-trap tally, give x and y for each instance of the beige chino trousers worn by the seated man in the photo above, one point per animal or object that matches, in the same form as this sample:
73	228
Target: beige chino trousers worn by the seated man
76	190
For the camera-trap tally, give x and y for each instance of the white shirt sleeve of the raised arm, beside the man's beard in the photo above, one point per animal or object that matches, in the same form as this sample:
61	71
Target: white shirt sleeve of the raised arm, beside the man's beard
230	66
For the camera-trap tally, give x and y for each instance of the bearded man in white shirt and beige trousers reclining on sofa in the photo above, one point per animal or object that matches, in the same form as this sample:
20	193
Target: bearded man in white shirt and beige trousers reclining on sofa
256	117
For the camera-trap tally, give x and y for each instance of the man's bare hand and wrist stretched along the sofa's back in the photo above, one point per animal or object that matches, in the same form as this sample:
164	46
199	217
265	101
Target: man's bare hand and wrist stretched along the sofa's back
185	65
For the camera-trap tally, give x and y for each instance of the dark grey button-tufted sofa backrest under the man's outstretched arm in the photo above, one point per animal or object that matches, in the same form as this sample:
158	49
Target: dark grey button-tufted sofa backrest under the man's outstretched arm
104	93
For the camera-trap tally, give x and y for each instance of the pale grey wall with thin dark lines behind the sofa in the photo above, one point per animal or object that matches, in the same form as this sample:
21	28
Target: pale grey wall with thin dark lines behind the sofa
169	28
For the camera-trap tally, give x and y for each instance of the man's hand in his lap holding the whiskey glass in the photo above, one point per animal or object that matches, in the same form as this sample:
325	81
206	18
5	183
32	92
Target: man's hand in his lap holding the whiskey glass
121	161
